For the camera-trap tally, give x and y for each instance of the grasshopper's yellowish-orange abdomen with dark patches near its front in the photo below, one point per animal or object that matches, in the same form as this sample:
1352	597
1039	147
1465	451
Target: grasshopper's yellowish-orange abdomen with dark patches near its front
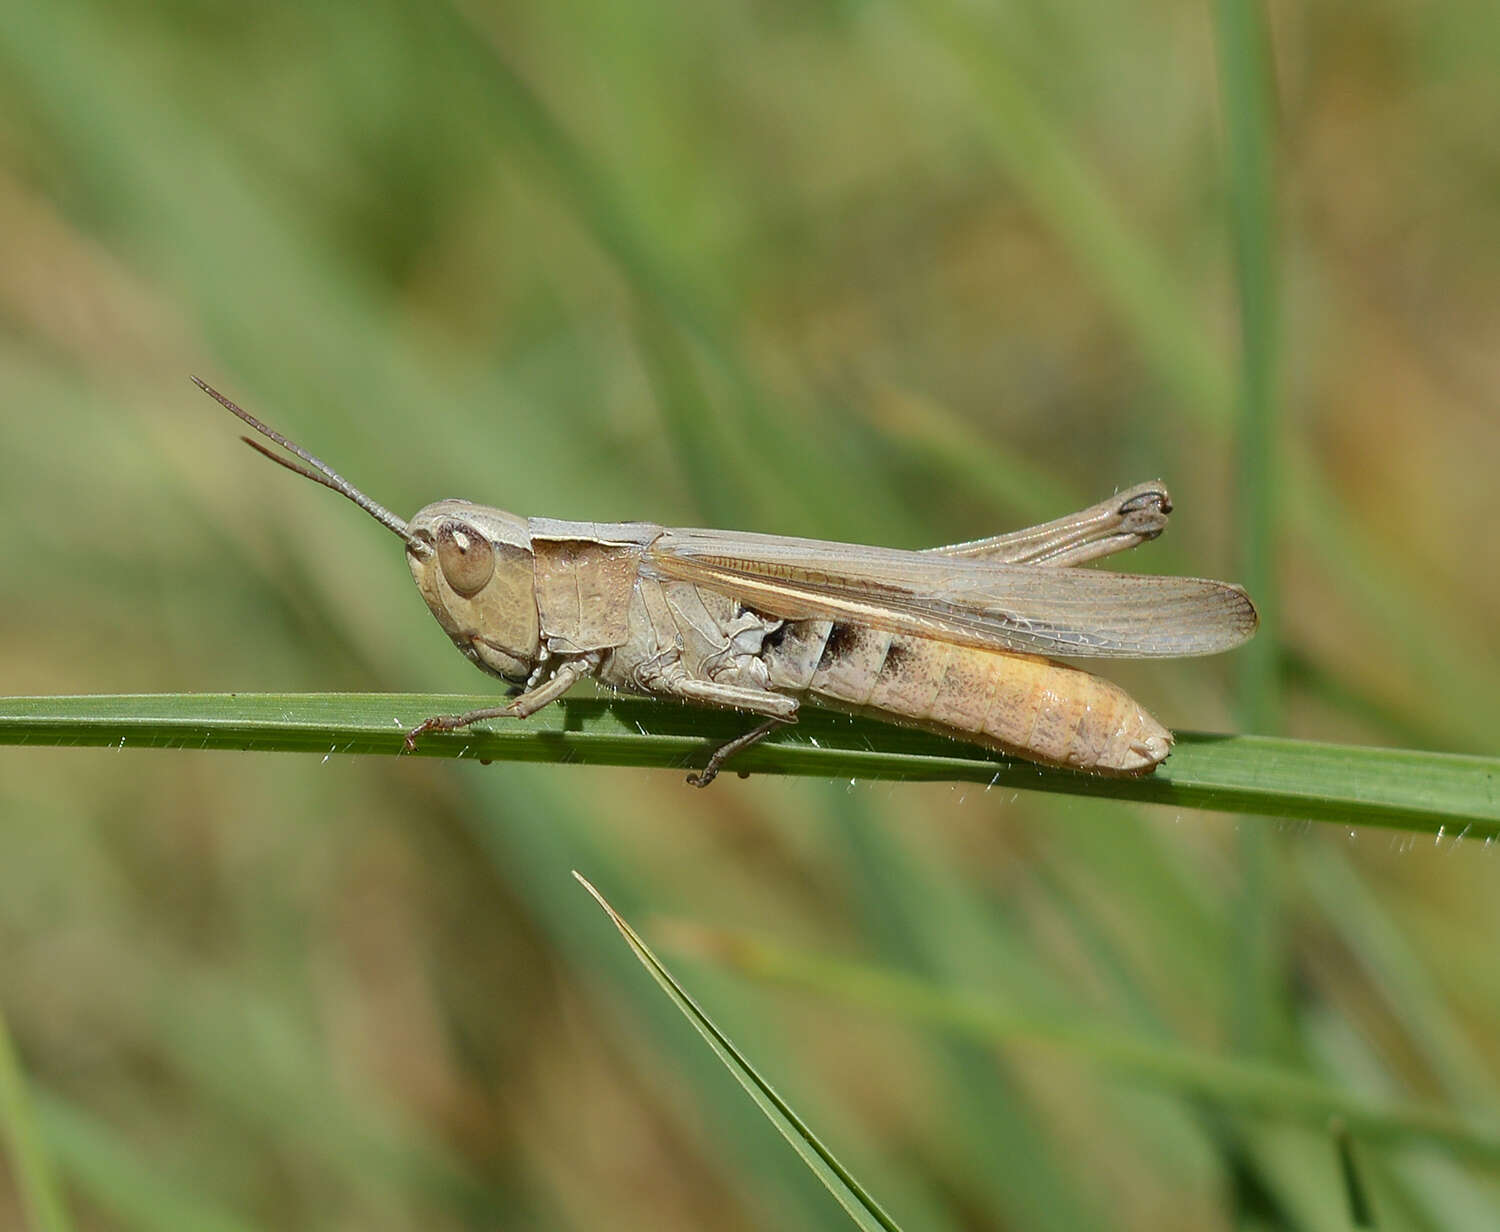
1019	705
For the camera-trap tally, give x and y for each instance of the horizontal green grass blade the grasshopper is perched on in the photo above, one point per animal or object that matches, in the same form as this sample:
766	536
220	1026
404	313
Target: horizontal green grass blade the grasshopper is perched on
1441	795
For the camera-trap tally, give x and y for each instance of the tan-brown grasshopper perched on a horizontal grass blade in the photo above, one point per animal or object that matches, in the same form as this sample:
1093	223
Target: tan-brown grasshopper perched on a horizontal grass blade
956	640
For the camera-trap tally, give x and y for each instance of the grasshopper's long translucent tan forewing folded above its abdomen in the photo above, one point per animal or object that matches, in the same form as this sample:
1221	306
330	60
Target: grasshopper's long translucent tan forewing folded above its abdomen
1075	613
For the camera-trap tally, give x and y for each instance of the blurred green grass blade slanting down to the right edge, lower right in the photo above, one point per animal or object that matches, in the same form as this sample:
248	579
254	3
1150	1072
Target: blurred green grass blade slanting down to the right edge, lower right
1244	1084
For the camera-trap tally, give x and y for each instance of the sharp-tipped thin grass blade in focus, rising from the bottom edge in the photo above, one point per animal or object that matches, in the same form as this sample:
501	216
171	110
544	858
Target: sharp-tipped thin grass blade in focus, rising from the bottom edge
845	1189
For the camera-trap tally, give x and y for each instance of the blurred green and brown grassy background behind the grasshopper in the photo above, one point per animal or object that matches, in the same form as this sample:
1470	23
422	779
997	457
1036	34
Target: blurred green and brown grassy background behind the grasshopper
856	269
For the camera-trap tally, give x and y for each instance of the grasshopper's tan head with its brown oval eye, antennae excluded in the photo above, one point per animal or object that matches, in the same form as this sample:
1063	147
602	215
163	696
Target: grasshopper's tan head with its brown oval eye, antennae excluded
479	581
